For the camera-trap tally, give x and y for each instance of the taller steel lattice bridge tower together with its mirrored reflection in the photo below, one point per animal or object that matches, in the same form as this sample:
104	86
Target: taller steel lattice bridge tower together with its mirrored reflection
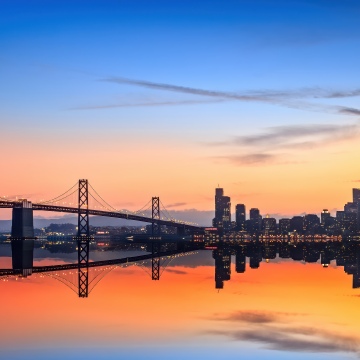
83	238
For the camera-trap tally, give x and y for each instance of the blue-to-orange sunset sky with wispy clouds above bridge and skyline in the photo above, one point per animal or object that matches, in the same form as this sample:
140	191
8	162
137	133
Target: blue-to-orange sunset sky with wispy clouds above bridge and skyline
174	98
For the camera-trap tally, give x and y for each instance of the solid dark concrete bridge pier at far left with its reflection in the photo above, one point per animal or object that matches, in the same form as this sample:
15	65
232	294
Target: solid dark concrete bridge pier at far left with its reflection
22	237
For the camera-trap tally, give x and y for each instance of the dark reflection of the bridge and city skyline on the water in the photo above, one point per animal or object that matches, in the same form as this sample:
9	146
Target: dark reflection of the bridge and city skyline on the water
342	253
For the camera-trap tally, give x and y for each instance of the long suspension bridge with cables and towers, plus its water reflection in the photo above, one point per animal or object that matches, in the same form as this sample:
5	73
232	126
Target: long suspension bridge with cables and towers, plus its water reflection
22	230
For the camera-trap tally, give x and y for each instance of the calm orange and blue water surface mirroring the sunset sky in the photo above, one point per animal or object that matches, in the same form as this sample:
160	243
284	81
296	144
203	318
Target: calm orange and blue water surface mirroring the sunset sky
278	309
